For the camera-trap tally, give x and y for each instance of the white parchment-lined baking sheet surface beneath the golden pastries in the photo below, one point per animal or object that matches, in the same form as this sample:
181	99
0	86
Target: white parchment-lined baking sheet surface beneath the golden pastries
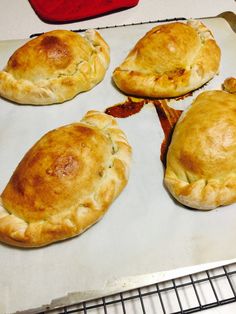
145	232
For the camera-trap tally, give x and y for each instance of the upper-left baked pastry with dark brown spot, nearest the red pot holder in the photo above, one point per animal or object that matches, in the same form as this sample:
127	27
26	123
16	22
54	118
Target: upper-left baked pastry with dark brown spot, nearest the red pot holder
54	67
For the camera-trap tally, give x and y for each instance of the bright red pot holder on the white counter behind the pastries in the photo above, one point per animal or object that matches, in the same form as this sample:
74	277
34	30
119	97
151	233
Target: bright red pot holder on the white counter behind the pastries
61	11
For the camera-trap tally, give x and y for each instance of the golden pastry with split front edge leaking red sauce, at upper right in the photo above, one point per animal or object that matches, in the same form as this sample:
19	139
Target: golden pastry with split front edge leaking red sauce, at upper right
170	60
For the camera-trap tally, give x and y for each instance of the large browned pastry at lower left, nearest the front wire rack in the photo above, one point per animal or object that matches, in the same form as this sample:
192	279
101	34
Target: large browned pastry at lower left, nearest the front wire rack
65	182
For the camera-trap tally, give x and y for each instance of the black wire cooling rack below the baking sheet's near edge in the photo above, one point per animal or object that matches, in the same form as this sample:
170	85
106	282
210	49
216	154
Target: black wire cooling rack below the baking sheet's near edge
184	295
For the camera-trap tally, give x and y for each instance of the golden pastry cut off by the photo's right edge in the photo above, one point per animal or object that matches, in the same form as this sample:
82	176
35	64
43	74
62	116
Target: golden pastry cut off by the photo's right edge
201	159
